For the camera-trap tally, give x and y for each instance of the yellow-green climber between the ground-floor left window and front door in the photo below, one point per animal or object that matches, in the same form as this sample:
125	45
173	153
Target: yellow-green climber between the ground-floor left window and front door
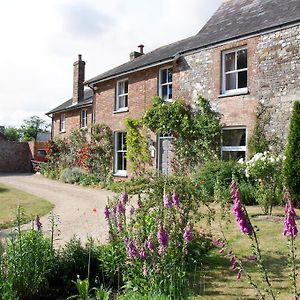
137	146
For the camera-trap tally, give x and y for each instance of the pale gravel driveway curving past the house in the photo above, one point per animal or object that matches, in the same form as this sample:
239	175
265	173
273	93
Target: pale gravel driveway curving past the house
73	204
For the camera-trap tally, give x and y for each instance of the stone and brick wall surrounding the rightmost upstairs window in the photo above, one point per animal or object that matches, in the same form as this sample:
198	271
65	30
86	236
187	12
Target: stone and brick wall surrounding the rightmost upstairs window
273	80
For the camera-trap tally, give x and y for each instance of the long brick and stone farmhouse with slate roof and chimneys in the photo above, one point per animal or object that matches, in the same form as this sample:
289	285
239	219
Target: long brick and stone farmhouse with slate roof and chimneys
247	54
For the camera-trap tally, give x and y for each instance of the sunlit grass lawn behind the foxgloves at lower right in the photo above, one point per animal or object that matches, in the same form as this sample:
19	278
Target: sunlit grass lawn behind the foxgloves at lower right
218	281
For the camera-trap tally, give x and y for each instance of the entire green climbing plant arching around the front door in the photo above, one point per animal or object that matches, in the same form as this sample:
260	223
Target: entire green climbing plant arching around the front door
196	133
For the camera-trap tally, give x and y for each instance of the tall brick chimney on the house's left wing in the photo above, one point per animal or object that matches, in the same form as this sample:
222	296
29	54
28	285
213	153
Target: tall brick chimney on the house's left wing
78	79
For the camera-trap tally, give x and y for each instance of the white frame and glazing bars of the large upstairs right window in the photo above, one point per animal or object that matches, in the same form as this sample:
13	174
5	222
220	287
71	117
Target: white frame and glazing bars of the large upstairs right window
235	71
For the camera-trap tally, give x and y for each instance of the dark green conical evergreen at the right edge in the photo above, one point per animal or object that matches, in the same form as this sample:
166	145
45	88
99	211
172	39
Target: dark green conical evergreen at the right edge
291	168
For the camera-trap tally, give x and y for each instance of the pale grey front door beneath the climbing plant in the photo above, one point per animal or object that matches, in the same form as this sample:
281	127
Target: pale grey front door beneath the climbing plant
165	155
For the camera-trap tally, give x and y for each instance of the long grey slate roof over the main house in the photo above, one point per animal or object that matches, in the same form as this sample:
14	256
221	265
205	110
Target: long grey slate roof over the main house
234	19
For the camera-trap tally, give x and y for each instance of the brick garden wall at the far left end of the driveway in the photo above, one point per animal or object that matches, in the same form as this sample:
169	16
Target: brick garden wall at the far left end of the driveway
15	157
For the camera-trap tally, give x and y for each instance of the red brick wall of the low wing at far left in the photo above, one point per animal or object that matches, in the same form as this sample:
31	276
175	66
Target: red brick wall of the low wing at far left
72	118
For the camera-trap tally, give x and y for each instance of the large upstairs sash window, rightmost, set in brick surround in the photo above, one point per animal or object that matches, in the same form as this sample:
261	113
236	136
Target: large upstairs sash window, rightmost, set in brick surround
234	71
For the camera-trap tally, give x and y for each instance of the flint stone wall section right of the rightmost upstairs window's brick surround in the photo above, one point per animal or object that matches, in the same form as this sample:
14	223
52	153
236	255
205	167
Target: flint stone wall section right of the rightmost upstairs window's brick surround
279	77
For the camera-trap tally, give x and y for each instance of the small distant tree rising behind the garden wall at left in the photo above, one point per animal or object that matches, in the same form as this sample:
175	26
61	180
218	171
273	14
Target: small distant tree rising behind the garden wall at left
31	127
